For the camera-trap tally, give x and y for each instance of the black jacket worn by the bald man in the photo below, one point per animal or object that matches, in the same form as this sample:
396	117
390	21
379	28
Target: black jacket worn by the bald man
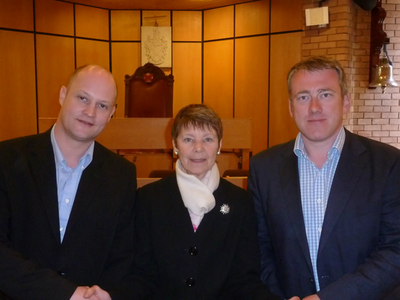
98	243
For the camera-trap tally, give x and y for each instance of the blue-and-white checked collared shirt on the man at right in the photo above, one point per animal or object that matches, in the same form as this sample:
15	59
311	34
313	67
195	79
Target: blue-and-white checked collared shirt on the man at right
315	186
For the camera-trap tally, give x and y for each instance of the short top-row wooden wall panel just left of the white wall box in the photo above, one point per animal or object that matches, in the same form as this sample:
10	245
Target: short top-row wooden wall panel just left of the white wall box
286	15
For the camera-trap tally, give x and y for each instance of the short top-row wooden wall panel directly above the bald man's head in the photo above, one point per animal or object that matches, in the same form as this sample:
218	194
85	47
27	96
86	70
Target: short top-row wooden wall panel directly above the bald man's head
91	22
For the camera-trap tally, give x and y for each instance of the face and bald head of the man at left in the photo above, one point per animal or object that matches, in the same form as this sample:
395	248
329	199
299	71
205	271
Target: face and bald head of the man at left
87	104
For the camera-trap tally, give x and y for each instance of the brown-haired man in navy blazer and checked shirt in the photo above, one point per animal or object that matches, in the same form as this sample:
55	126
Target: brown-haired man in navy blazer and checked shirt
328	202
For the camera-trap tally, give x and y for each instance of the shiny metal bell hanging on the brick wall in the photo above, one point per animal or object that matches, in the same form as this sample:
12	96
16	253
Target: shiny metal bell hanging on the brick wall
383	76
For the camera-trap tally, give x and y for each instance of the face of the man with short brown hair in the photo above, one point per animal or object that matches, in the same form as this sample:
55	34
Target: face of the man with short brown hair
317	106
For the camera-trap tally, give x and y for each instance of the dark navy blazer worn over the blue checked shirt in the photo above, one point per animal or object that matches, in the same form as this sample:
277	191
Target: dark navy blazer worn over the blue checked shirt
359	250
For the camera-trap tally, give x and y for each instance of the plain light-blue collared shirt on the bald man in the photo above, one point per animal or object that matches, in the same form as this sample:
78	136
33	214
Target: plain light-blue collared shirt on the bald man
67	181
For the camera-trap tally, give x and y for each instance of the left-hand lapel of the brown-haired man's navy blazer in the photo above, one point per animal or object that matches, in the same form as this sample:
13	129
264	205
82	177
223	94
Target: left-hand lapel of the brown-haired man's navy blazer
291	191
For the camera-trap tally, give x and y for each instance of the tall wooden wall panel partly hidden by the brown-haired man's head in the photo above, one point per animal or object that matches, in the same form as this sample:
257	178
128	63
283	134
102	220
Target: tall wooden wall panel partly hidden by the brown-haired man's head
285	52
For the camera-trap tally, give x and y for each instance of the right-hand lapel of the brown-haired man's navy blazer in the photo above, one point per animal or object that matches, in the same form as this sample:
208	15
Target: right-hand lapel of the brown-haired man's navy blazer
348	171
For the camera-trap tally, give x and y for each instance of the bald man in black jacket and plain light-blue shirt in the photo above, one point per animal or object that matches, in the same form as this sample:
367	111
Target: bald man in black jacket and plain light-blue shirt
66	202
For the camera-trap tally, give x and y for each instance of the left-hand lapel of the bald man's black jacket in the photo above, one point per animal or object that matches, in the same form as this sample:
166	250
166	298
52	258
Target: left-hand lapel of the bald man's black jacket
43	169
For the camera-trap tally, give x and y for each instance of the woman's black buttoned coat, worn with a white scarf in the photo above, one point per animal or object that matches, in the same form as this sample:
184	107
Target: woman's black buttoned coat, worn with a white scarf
218	261
